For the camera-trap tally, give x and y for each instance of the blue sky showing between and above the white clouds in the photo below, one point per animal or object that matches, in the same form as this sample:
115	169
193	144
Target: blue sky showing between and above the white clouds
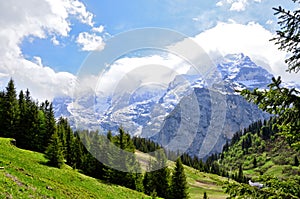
188	17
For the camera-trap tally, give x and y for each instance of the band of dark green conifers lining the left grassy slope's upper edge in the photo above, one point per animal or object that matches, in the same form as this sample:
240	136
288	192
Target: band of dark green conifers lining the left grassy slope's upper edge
34	127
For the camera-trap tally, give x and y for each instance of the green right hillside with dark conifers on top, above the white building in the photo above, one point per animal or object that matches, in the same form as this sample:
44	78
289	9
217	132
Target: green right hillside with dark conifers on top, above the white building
261	152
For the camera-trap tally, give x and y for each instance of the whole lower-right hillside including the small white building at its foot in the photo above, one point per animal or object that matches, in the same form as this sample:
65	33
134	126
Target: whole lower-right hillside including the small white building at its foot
260	154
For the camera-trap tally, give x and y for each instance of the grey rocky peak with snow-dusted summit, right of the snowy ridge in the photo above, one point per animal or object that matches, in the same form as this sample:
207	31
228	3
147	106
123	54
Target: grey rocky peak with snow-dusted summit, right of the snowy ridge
222	111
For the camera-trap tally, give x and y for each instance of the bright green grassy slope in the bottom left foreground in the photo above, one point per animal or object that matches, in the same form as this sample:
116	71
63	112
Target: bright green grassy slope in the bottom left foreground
23	174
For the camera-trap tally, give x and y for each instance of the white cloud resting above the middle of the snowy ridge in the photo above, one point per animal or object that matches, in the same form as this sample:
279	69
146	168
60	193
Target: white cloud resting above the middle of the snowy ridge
155	69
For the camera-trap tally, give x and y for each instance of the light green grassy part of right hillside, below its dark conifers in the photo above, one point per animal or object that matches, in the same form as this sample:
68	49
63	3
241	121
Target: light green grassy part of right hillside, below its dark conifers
274	158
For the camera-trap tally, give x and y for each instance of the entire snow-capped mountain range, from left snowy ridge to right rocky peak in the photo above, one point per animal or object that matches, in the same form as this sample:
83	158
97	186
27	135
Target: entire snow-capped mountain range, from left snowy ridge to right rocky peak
159	113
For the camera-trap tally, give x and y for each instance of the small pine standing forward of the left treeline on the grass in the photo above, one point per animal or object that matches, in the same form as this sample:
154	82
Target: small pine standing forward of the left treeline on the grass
54	152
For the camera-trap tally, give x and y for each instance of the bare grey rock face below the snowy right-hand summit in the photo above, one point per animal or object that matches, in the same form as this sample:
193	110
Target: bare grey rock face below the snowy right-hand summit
215	125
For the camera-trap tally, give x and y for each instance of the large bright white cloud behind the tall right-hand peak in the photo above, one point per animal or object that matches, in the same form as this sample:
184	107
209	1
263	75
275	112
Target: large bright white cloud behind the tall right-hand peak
251	39
